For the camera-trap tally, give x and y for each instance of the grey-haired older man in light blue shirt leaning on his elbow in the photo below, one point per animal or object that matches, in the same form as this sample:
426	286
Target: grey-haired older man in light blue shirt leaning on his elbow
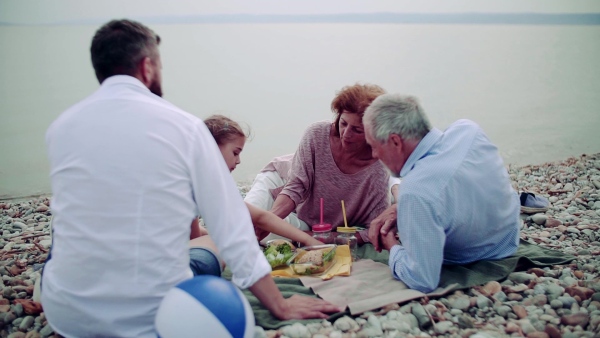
455	205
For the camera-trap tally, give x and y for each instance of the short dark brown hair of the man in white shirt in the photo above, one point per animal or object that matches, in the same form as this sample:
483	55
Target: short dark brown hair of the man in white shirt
119	46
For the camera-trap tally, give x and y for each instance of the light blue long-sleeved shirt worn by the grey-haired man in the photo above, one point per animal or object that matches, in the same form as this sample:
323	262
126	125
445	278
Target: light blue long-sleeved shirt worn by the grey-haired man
455	206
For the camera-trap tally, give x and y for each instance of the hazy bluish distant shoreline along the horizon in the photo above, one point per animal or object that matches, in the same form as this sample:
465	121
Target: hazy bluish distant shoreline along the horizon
365	18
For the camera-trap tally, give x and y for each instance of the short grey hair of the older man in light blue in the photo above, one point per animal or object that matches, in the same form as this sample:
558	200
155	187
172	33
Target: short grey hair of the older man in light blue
396	114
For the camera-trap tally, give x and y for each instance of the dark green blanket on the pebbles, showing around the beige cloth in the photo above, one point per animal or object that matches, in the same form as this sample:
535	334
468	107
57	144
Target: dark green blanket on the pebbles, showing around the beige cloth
478	273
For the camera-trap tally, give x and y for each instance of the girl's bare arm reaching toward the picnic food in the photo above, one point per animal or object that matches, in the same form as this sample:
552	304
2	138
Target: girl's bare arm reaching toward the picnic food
270	222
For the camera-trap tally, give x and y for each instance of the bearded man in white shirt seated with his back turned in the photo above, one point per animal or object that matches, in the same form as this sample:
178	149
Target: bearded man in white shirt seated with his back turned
129	173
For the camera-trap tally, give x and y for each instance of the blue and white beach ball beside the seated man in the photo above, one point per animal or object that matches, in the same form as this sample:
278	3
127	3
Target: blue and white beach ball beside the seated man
204	306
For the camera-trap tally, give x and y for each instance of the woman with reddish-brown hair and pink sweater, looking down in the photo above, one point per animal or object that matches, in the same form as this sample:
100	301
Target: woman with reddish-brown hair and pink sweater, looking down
333	162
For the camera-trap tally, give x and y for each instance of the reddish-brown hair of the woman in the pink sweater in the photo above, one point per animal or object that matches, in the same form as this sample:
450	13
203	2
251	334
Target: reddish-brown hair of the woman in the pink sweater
354	99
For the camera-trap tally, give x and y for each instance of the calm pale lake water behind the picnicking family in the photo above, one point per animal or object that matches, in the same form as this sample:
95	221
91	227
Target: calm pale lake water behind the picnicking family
534	89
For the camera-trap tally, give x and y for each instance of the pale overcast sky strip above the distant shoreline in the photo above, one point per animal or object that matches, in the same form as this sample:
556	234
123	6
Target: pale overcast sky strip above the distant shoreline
57	11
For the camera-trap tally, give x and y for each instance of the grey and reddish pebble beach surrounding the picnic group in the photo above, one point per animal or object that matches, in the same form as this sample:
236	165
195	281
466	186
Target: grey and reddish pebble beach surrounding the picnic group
557	301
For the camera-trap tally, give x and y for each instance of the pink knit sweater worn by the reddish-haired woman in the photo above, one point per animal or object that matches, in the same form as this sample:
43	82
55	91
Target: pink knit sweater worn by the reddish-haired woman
315	175
